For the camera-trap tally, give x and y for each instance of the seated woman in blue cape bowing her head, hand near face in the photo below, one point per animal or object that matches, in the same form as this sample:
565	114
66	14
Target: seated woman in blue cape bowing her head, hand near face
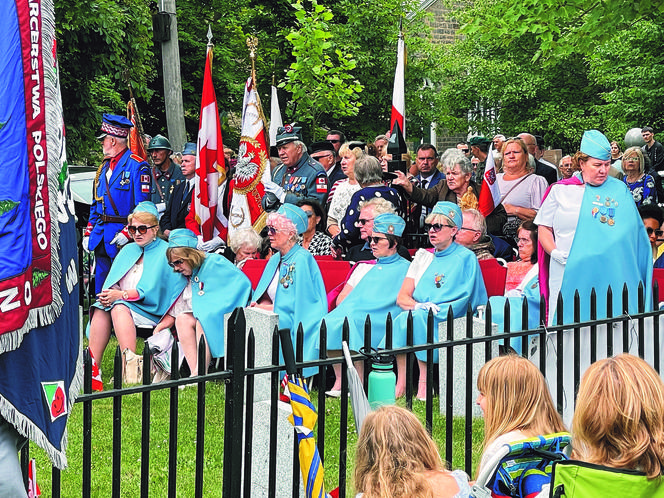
215	286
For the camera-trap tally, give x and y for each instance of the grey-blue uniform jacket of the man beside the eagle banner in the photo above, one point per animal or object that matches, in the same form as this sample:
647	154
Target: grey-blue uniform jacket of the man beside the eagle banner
306	179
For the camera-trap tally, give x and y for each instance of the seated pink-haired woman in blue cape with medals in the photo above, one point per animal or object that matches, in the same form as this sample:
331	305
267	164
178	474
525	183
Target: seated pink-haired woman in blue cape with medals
291	285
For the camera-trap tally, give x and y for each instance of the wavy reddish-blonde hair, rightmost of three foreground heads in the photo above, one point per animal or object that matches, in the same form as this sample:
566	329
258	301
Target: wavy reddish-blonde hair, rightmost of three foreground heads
619	421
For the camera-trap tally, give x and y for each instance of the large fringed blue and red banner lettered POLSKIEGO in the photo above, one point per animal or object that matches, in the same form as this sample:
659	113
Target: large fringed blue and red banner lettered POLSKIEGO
39	333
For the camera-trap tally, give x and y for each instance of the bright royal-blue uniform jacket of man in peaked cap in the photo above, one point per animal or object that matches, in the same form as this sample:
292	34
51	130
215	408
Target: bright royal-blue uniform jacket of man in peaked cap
128	185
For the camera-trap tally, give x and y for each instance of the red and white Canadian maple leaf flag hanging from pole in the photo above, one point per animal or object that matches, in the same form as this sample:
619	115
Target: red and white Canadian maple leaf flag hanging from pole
210	166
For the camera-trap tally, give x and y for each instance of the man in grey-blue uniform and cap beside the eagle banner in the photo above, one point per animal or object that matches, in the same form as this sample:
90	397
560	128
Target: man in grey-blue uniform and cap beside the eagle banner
298	175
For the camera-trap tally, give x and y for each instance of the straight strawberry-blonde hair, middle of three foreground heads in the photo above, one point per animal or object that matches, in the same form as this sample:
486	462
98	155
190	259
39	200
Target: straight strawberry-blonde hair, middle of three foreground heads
517	398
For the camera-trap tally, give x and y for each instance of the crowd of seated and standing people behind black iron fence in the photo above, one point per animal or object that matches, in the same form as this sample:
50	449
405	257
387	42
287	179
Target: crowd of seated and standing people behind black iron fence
550	227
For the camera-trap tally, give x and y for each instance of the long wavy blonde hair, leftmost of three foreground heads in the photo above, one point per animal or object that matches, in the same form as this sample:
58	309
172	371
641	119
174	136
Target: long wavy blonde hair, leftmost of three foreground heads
394	452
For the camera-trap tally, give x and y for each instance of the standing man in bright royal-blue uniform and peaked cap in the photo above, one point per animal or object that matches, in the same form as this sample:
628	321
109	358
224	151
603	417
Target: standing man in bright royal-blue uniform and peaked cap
122	181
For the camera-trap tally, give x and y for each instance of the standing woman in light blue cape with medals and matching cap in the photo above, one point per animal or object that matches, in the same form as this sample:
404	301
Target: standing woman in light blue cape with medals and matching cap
590	236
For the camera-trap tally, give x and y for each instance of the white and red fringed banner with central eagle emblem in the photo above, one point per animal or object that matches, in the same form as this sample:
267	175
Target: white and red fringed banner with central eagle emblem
251	168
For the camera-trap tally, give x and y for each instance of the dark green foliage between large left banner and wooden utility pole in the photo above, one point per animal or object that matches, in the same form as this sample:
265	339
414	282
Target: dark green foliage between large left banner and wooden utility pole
98	43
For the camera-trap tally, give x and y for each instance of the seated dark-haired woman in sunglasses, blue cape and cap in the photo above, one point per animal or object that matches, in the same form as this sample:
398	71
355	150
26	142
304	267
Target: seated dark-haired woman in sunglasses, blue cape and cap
370	290
